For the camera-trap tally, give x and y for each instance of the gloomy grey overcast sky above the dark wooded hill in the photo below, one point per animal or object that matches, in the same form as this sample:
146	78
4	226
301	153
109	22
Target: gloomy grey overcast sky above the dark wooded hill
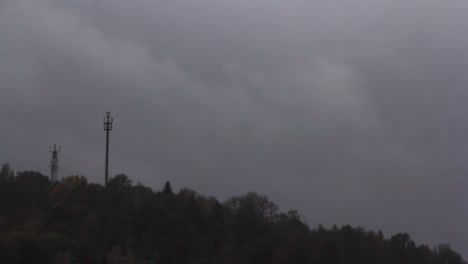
353	112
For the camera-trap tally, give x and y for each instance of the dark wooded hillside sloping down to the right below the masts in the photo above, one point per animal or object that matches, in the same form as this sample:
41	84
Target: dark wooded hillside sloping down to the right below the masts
79	222
